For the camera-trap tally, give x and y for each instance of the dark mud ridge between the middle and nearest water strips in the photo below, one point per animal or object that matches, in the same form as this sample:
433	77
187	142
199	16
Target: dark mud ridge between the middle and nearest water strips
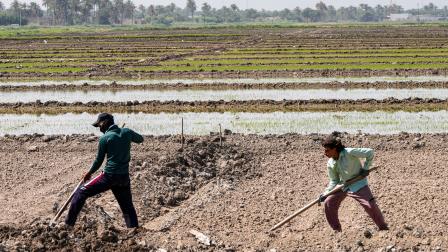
388	104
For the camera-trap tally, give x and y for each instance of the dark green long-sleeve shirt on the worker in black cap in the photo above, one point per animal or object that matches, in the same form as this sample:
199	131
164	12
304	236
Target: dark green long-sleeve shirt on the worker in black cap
116	144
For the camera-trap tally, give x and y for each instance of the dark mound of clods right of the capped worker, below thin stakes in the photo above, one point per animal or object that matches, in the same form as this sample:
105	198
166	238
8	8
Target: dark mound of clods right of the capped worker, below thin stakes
173	179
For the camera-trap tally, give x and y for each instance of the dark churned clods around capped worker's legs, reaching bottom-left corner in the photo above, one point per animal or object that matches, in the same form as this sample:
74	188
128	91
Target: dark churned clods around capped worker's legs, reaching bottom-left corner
160	184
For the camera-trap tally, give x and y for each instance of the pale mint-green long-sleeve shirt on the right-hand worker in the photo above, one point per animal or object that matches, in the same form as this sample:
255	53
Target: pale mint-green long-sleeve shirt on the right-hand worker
348	166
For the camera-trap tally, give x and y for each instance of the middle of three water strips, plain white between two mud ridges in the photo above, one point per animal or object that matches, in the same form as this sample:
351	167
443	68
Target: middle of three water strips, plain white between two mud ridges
216	95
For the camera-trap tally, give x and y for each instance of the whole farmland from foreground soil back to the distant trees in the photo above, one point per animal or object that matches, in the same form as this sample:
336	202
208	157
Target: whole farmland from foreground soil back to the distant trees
274	92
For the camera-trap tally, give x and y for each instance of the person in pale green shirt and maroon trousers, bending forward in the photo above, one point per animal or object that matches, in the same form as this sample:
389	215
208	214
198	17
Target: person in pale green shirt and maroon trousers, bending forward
344	164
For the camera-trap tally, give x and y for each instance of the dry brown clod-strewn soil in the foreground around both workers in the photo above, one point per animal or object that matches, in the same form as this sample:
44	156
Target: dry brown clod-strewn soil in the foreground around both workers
232	194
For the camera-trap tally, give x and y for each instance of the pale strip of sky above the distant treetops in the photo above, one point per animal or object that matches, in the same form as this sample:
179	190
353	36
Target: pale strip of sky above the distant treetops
277	4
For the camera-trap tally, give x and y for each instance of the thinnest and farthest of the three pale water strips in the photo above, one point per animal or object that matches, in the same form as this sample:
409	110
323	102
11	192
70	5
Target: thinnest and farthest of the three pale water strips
372	79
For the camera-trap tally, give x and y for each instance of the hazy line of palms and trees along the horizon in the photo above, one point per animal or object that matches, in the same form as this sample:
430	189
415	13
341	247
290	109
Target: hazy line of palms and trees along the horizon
103	12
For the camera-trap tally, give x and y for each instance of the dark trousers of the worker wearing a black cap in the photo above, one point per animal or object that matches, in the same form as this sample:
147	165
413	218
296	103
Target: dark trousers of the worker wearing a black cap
120	184
